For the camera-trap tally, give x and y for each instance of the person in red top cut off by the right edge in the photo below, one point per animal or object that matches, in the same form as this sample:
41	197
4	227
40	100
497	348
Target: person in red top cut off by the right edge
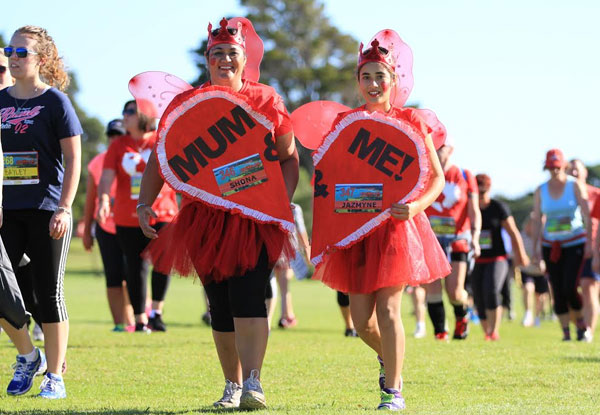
589	280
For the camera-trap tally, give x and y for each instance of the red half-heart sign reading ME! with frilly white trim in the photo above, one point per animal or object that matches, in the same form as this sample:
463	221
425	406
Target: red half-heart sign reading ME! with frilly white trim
367	162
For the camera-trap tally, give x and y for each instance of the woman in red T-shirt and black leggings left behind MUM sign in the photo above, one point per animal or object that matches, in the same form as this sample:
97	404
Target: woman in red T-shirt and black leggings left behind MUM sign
125	161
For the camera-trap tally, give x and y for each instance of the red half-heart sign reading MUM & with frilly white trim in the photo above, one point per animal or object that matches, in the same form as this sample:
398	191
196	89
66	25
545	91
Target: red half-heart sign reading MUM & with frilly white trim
214	147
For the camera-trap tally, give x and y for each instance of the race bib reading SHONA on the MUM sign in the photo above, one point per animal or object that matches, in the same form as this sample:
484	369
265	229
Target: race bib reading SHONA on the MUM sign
240	175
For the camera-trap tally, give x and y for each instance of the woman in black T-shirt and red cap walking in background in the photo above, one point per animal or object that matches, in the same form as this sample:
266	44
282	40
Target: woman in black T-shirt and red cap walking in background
491	267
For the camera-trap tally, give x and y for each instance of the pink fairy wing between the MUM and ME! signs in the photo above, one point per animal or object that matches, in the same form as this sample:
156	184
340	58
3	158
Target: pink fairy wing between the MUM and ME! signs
313	120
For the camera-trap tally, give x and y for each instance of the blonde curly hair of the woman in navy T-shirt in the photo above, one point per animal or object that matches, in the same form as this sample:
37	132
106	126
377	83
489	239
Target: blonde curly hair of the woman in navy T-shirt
52	71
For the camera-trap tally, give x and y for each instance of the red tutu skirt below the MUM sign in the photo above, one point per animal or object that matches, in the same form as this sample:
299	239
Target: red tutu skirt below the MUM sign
214	244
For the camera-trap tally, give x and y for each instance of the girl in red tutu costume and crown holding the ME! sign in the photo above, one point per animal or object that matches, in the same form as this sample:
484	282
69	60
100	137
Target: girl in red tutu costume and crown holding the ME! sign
401	248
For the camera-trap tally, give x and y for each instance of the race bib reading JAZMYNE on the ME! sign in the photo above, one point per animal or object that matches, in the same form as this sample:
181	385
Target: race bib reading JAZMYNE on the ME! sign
357	198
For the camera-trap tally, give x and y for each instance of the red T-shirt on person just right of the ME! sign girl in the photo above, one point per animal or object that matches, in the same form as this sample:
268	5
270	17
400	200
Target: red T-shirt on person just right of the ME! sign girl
449	214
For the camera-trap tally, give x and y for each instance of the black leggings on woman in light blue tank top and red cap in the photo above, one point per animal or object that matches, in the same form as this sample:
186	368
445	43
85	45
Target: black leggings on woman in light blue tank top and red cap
564	276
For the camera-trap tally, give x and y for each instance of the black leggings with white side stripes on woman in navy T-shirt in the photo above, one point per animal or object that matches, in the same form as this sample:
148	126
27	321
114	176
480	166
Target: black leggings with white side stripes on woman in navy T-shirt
26	231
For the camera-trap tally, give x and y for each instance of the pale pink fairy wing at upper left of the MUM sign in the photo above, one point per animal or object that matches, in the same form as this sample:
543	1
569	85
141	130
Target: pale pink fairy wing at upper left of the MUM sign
154	90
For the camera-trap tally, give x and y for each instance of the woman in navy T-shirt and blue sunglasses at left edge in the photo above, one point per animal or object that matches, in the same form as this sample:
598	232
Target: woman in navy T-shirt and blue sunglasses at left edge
42	162
